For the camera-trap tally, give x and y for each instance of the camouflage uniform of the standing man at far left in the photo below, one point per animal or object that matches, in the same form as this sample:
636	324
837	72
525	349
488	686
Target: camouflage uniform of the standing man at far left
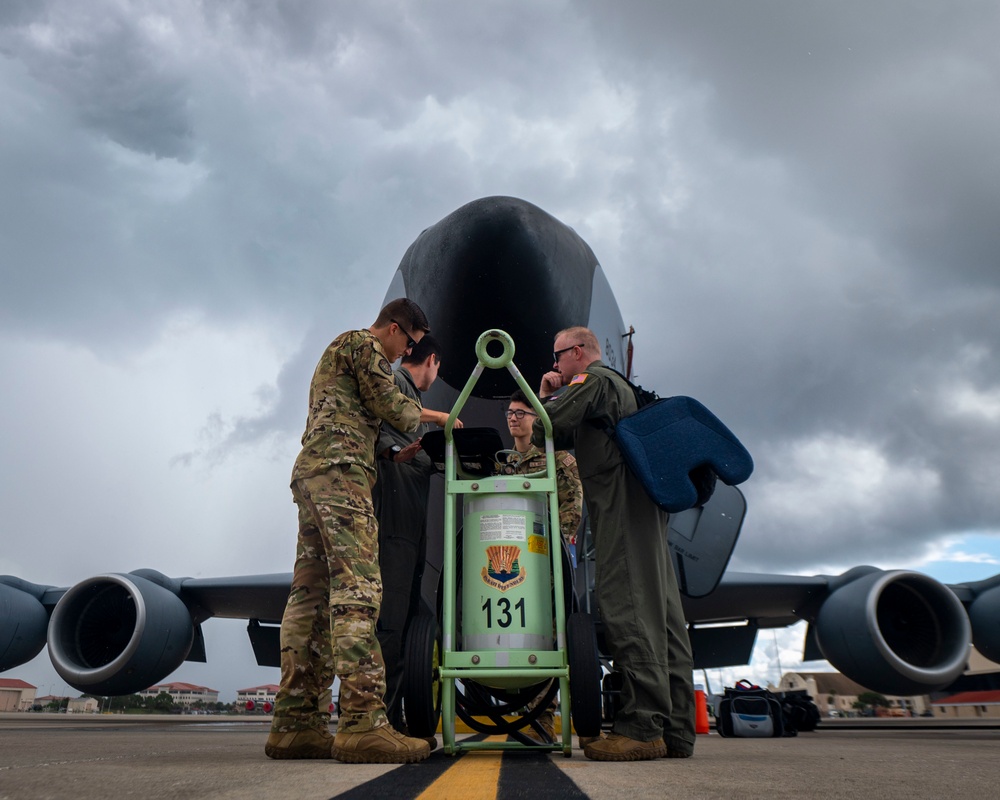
328	627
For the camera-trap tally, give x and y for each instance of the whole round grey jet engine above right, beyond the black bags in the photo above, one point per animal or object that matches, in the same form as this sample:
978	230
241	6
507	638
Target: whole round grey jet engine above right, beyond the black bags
897	633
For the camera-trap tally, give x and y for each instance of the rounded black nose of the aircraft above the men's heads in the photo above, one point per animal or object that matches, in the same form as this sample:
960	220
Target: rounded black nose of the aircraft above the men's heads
499	262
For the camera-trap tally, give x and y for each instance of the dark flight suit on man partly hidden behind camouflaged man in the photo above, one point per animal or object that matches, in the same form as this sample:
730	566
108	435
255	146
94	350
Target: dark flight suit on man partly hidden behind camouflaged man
400	498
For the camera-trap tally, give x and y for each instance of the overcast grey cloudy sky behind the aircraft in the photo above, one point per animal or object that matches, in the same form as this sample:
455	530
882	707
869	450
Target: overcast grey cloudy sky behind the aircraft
795	202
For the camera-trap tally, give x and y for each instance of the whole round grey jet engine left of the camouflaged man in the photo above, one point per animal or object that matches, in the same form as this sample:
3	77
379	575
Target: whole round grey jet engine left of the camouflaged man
118	634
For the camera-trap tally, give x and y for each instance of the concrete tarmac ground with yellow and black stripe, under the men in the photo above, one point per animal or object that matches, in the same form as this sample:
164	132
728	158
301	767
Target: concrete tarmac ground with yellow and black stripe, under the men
111	756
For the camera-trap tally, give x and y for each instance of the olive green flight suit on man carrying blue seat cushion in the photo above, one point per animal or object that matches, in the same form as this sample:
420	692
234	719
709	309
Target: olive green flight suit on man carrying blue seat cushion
637	591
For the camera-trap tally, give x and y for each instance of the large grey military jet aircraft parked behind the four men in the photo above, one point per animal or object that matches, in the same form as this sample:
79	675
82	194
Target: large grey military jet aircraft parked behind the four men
898	632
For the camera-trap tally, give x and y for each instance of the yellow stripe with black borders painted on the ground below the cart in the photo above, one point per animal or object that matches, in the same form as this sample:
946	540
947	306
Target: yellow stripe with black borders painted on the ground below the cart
476	775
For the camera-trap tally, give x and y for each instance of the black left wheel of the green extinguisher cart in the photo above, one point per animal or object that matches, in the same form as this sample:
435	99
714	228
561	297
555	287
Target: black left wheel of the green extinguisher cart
421	680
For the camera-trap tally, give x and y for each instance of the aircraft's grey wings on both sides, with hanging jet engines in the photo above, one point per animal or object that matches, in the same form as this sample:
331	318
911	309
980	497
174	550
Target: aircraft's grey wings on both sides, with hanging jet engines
897	632
